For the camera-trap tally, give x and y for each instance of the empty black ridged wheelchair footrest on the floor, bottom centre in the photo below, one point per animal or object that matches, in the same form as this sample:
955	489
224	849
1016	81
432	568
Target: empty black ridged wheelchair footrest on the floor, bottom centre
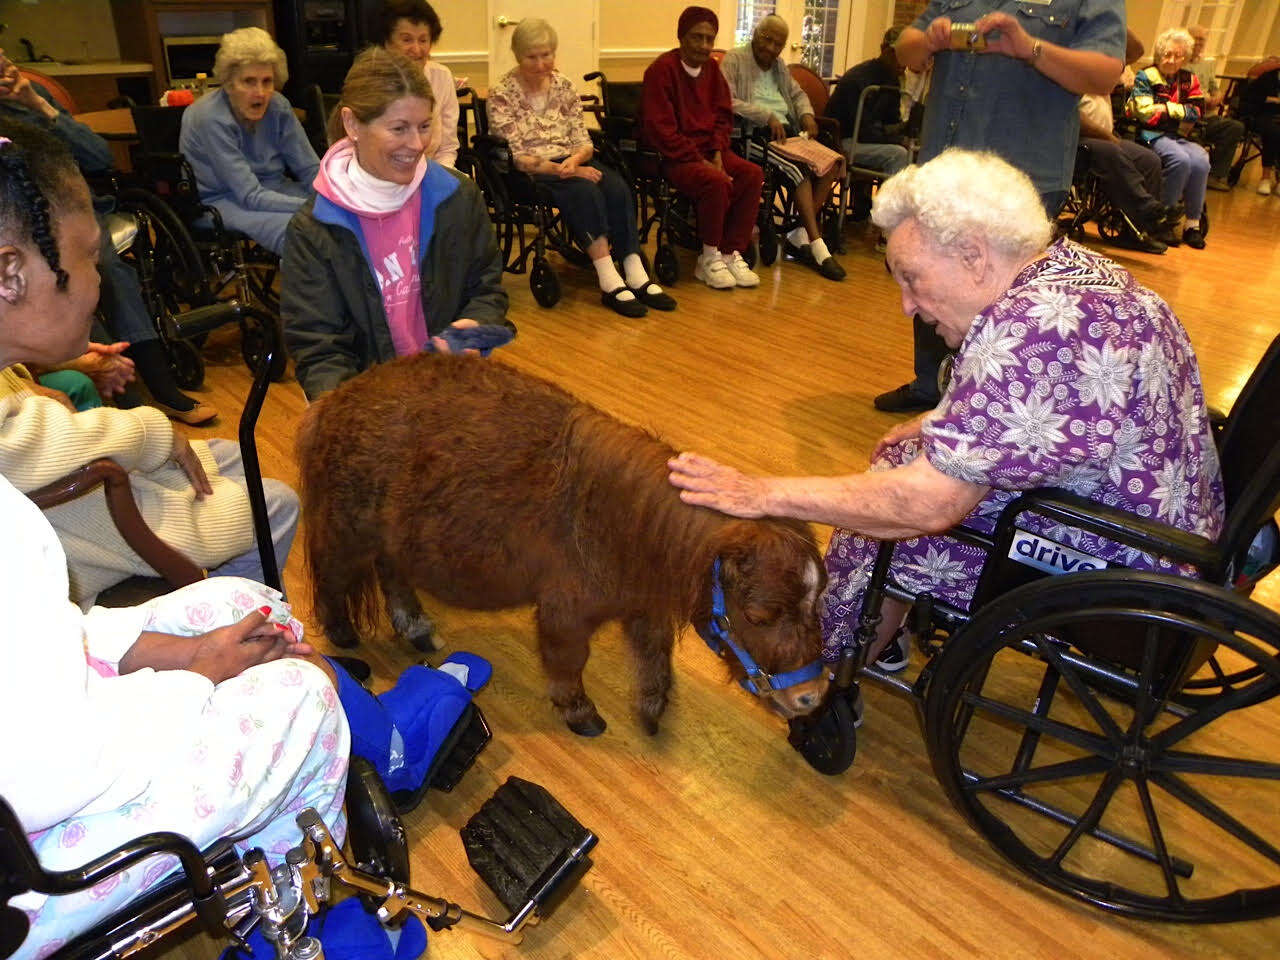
527	848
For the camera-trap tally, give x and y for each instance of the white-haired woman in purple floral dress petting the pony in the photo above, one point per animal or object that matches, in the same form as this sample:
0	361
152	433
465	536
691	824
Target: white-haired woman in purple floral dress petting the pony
1068	374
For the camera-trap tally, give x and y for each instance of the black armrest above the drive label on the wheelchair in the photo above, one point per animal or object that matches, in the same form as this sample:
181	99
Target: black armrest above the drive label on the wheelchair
1122	527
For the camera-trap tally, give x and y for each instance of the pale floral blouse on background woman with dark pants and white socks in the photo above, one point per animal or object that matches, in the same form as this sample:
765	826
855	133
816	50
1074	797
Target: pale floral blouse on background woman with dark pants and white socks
548	134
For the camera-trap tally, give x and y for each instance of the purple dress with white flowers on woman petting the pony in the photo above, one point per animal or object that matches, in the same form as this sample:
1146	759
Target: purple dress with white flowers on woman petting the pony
1077	378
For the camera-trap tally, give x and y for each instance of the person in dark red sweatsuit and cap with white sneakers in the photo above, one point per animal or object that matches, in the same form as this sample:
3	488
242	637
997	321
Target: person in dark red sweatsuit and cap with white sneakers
687	116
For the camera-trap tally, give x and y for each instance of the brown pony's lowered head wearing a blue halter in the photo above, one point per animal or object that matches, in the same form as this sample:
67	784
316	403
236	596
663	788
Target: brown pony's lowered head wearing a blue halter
771	577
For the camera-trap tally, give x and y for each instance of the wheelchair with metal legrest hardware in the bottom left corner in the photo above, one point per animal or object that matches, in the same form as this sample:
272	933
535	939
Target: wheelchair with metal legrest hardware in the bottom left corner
527	848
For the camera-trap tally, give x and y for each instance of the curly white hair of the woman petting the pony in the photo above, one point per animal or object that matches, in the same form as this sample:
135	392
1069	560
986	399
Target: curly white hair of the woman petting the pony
966	193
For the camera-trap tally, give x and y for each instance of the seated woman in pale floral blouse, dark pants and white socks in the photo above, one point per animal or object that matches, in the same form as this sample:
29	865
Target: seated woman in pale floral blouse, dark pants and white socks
538	112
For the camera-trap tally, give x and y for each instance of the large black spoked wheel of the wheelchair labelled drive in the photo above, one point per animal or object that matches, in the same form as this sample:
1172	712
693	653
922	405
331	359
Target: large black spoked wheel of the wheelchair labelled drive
1122	799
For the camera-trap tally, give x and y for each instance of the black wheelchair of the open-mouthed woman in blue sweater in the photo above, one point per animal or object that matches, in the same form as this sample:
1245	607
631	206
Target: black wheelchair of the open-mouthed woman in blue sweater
188	260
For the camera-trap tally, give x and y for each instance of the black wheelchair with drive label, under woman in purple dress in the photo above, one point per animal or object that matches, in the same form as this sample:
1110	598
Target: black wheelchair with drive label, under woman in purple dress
1098	728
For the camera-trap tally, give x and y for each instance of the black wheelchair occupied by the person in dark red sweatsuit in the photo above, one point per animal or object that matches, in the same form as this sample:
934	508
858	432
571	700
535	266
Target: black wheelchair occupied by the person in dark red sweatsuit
660	207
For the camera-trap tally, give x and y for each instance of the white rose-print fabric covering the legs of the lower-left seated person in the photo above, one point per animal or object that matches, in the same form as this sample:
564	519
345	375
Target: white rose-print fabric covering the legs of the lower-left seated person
271	743
